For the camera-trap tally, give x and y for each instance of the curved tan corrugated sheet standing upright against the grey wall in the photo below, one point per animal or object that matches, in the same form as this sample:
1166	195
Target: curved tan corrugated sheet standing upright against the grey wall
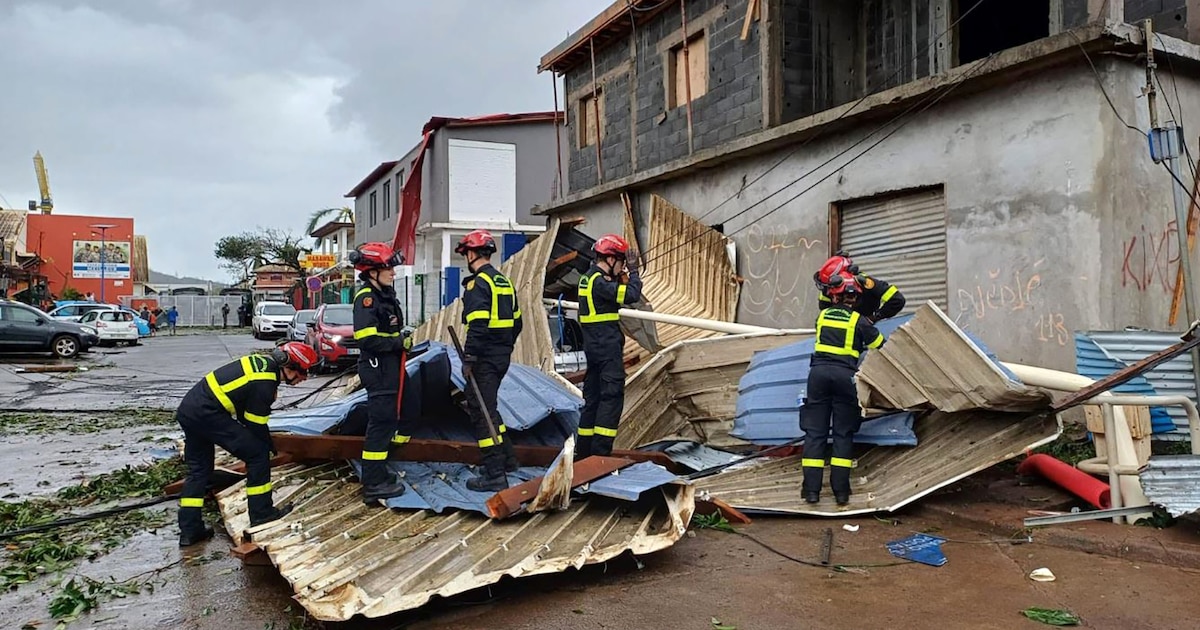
688	273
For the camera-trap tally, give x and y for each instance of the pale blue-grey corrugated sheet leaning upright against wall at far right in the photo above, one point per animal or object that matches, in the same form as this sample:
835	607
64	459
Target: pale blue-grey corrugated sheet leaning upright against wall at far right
1172	379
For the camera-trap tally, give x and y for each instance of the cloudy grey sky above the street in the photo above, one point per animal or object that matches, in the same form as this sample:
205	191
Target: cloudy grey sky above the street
205	118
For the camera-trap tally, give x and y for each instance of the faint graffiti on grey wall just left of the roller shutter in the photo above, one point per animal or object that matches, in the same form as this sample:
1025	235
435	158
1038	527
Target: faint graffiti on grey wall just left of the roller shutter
775	289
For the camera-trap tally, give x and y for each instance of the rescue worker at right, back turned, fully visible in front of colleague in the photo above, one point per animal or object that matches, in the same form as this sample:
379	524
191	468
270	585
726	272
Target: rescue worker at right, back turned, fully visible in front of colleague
843	335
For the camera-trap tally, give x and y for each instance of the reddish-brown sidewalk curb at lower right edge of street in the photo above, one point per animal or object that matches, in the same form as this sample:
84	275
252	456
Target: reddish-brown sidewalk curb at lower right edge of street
1131	543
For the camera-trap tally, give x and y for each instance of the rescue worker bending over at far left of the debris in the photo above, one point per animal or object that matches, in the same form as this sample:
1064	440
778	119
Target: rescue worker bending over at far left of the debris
230	409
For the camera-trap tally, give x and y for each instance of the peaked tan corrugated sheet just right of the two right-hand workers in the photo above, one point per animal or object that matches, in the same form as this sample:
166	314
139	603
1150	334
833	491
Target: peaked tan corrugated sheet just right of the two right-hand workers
931	364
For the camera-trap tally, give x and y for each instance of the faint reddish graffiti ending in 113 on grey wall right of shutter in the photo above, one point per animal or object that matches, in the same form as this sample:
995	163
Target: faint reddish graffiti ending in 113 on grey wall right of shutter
1012	295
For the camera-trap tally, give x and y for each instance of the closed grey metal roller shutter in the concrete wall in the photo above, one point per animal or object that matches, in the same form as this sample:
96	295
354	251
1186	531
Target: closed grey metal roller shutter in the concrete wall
902	239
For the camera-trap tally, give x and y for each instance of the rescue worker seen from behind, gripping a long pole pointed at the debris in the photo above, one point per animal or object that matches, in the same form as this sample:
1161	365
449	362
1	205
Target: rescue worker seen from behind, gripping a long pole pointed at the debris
493	317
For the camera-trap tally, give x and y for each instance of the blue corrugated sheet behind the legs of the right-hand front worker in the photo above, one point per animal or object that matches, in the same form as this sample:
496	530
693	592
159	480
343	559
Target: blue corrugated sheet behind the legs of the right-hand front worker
769	411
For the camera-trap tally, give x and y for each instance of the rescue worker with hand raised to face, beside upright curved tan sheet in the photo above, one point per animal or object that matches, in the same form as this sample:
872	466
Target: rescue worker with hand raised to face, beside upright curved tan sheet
610	284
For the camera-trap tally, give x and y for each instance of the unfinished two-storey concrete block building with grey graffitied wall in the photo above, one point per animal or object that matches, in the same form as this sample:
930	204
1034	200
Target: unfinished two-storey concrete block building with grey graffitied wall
986	155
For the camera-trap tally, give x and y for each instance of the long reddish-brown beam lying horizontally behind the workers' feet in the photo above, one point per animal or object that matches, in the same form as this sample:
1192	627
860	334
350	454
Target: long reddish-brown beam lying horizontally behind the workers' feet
316	448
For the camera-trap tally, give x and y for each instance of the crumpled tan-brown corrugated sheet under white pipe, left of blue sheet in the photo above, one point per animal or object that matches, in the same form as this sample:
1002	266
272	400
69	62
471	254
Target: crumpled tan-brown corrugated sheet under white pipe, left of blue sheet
689	391
